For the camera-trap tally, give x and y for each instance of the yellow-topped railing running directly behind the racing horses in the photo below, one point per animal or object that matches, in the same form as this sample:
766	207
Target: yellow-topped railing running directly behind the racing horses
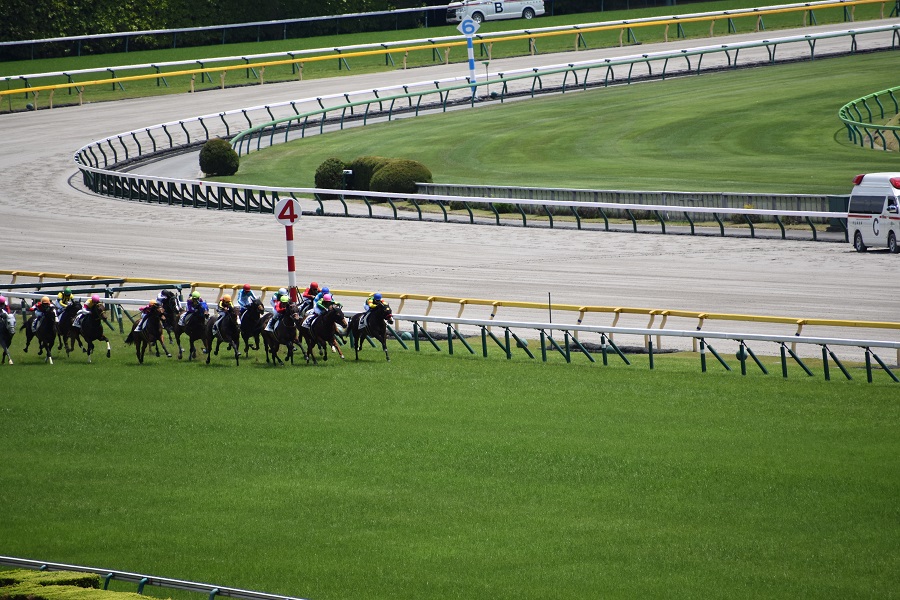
651	313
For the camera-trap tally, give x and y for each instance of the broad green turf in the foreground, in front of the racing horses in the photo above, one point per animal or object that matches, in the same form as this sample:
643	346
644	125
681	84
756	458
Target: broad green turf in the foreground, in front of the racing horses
456	477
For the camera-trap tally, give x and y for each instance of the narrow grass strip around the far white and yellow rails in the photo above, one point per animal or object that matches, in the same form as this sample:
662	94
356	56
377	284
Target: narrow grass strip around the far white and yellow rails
357	65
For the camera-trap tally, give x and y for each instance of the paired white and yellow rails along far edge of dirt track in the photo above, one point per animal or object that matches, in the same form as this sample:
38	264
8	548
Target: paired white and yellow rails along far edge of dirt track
438	47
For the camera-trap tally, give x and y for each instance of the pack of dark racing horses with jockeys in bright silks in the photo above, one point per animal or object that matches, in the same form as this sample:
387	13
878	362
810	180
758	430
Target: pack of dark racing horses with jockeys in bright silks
163	320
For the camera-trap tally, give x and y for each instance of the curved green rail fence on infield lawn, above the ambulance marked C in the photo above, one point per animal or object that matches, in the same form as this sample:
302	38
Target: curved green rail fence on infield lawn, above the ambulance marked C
859	117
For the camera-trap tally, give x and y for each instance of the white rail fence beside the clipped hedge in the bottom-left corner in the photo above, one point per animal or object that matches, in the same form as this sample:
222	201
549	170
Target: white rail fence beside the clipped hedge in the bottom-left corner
143	580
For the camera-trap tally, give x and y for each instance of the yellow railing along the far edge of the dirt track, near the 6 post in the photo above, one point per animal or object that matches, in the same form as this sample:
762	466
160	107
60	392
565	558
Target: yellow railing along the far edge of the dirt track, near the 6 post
622	27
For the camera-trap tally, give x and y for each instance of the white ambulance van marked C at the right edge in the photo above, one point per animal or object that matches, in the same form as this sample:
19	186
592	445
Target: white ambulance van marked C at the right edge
872	216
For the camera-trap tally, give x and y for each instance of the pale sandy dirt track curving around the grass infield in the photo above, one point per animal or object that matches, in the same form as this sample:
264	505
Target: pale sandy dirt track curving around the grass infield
47	224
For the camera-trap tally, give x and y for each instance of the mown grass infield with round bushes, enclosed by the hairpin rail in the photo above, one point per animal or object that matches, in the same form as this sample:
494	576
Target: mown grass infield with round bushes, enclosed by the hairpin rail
770	129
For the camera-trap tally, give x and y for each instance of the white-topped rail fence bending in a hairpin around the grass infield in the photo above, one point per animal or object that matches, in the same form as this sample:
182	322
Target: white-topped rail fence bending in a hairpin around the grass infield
103	163
